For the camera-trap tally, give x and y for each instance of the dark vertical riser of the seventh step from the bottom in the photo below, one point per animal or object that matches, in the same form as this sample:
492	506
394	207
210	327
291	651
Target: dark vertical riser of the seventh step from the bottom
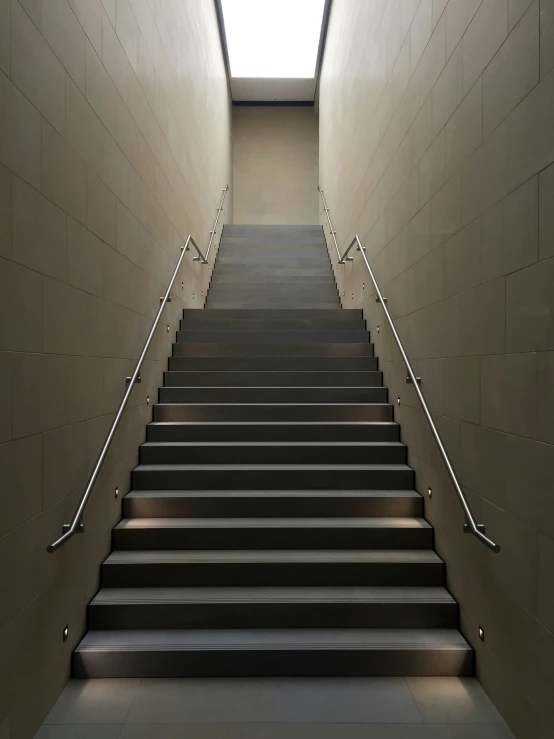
252	454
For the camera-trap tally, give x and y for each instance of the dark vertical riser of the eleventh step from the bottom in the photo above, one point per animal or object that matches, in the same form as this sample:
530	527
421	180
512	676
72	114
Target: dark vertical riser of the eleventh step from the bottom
273	379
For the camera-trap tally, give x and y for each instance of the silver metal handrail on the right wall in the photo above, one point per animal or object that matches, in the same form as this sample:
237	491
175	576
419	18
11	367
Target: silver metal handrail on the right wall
471	526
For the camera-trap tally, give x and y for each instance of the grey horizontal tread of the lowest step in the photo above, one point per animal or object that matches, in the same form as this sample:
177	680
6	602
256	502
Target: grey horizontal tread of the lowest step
276	639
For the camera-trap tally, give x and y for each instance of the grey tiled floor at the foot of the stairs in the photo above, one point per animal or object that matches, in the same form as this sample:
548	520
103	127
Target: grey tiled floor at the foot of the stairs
394	708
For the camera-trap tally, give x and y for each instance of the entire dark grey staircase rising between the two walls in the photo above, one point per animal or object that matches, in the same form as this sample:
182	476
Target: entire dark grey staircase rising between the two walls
272	527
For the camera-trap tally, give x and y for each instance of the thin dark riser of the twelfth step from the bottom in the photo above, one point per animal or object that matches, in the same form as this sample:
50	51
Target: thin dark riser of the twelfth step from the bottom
269	364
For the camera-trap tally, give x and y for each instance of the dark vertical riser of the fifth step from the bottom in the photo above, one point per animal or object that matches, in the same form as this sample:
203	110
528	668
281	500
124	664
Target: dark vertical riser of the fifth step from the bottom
269	506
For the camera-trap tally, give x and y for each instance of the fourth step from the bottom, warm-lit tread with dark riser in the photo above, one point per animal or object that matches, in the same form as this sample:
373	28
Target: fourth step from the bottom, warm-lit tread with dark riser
272	533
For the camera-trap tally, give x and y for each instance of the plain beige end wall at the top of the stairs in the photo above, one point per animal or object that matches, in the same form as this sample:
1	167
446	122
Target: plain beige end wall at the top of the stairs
275	164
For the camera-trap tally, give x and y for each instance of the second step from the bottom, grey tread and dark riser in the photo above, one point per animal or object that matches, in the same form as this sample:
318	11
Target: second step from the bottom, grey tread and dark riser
273	608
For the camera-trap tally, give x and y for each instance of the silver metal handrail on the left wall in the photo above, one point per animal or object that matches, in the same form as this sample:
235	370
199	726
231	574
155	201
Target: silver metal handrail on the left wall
76	526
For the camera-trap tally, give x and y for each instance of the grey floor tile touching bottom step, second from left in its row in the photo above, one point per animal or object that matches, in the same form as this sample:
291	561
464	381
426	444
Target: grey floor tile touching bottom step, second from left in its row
201	701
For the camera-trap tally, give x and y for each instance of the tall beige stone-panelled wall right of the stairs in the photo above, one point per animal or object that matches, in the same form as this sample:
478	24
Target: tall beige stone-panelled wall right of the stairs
437	143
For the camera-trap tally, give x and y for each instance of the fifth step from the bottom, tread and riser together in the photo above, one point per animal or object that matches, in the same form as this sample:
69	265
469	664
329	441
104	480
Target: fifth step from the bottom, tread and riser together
271	503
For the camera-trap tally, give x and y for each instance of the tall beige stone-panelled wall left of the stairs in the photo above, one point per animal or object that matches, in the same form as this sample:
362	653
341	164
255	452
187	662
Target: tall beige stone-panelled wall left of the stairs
114	145
